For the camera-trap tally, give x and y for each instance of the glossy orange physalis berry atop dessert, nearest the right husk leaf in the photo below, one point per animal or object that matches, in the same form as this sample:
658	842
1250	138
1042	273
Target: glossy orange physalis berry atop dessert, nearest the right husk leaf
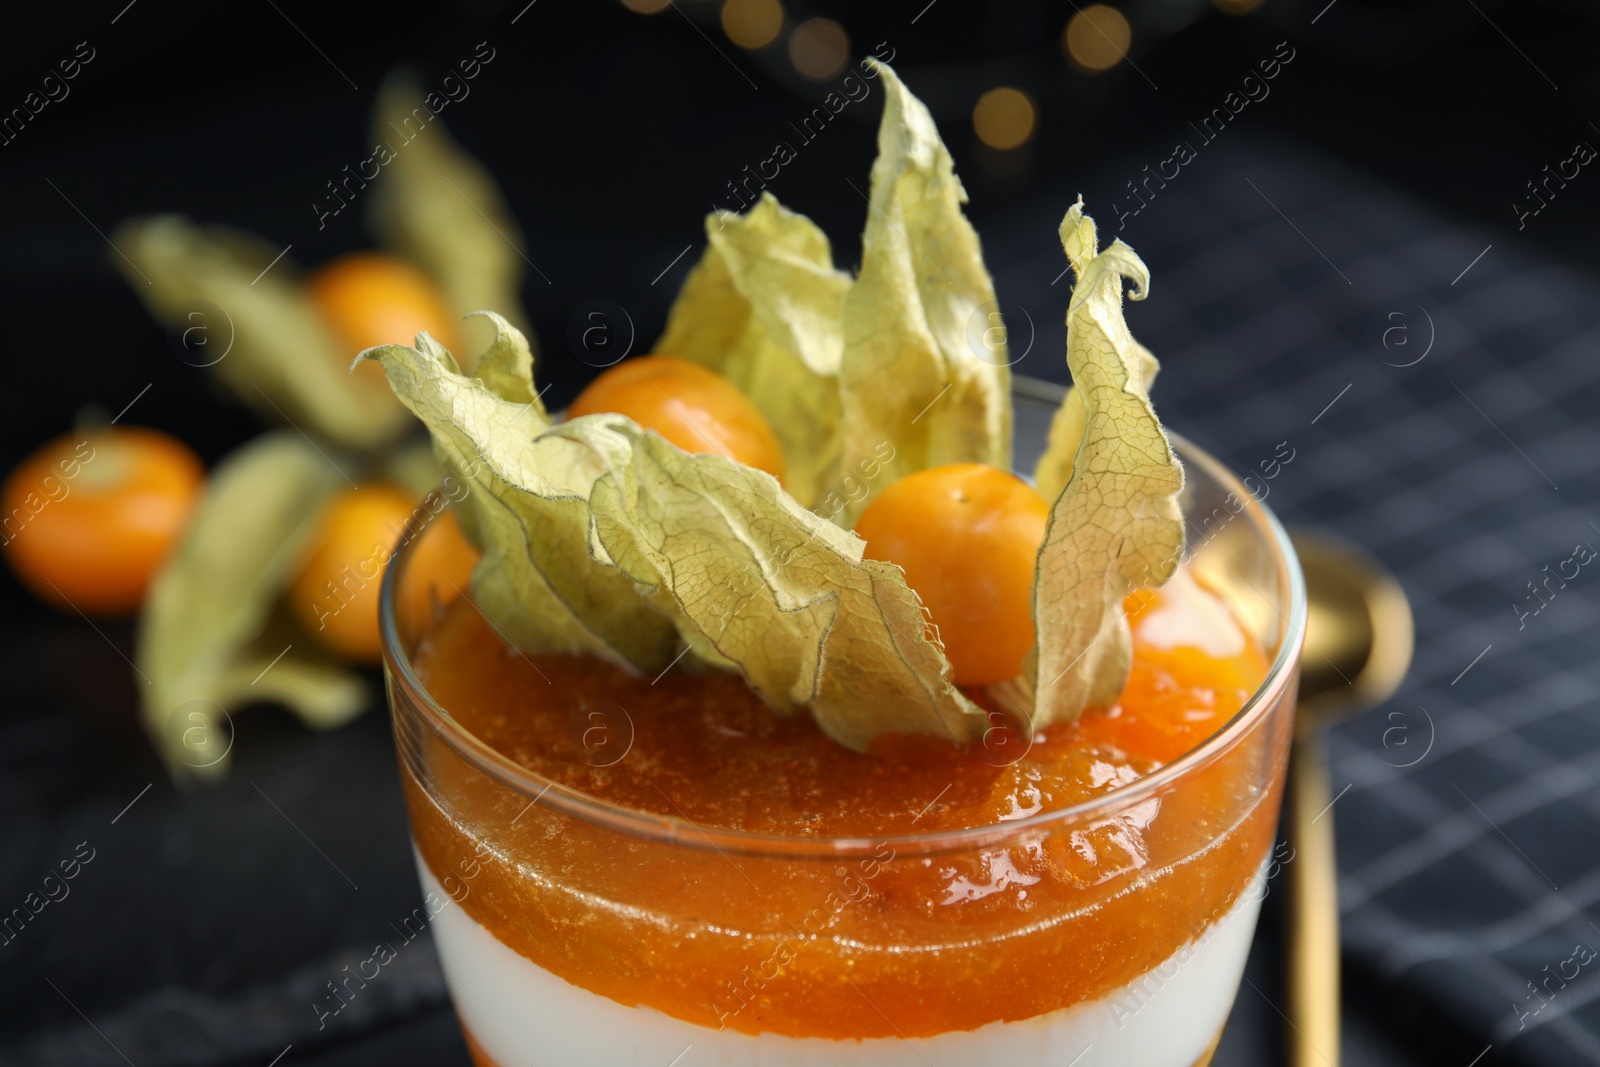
967	537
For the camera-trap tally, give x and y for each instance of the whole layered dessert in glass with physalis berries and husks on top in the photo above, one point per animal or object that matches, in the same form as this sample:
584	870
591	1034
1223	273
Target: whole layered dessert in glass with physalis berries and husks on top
785	724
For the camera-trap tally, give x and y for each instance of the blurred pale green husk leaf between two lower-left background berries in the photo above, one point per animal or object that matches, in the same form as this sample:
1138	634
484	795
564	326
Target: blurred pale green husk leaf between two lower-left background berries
206	613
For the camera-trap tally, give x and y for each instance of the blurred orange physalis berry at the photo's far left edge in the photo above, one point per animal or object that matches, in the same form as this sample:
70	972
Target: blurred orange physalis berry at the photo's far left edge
92	516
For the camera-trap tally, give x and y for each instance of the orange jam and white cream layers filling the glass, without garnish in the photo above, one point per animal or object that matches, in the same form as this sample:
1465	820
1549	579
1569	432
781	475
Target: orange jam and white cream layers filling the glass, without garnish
1030	951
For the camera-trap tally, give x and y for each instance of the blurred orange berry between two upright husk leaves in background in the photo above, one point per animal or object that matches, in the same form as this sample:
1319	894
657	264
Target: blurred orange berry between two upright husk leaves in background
370	298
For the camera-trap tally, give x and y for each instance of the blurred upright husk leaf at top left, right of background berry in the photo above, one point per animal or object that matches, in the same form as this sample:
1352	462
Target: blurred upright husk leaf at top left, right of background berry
442	210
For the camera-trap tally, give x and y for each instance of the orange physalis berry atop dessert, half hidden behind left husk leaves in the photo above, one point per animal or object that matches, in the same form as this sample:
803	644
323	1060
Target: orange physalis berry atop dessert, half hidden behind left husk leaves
697	410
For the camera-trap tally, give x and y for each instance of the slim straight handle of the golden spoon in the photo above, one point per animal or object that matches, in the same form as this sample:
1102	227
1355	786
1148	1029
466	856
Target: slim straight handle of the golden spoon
1314	913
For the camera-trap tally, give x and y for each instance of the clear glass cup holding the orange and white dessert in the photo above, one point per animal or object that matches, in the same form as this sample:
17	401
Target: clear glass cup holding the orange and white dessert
577	932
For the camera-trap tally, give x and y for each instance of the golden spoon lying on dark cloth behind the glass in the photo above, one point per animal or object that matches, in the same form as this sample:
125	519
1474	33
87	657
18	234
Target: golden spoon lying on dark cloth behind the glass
1358	650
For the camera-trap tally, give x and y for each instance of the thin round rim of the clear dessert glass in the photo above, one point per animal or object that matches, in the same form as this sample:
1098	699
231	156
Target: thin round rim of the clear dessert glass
686	833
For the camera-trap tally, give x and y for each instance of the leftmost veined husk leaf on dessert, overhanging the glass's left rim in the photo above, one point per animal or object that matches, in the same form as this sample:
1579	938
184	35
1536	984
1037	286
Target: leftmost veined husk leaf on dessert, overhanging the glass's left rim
527	506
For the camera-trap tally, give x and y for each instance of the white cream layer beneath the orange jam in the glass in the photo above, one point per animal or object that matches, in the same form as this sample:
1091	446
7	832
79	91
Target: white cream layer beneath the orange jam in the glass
522	1015
